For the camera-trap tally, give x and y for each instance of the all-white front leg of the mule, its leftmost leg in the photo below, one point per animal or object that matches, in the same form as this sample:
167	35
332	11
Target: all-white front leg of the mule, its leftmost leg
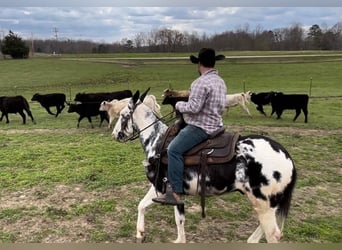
143	204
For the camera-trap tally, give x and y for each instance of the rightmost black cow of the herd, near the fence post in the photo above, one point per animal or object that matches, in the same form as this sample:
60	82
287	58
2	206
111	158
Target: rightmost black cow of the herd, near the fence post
280	102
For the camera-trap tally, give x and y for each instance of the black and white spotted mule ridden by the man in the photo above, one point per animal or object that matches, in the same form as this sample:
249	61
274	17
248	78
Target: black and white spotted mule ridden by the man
262	169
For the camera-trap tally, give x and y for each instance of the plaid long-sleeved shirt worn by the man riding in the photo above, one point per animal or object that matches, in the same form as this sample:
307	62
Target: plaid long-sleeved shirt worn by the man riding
206	102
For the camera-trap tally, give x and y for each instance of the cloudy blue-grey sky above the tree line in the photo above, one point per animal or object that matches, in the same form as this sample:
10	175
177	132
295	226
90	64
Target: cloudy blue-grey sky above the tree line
87	20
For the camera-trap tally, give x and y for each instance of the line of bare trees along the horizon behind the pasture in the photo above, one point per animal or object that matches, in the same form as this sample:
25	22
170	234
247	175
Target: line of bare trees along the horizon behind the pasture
294	37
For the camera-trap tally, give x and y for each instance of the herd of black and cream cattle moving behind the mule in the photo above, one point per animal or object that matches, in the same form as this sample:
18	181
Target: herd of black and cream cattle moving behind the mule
108	105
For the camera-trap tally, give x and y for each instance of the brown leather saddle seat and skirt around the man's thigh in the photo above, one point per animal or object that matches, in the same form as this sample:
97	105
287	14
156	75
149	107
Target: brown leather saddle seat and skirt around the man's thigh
216	150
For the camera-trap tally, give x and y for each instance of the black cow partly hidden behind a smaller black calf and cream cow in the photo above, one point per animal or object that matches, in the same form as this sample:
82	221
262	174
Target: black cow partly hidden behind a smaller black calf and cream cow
102	96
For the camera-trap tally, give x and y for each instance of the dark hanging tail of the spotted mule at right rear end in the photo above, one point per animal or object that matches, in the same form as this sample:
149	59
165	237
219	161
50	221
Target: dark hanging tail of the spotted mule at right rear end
285	201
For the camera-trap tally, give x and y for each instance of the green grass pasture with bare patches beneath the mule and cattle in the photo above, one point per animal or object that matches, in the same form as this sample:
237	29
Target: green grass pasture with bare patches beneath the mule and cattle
63	184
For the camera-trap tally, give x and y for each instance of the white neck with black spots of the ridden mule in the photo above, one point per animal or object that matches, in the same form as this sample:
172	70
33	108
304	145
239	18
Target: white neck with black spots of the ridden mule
151	129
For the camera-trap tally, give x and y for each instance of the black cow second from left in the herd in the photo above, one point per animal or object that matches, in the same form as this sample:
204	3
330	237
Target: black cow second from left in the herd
51	100
